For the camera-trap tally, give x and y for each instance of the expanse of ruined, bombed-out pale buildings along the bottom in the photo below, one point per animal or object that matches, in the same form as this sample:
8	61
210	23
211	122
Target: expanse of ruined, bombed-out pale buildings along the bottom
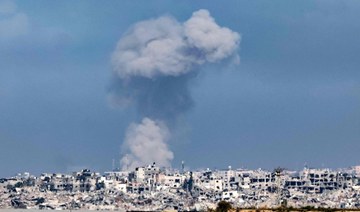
154	188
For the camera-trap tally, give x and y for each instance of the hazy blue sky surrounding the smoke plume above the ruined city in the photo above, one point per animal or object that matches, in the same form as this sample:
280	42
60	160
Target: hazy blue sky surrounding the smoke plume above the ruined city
293	99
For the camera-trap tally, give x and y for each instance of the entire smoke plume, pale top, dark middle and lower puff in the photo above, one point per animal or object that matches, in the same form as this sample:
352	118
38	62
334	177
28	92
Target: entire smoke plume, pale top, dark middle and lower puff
153	64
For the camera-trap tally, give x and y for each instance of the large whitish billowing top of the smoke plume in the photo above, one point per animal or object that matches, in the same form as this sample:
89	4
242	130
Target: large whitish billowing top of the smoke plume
165	47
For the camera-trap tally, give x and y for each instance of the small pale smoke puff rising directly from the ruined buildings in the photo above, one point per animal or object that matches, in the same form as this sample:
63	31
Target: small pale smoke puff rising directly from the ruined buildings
146	143
